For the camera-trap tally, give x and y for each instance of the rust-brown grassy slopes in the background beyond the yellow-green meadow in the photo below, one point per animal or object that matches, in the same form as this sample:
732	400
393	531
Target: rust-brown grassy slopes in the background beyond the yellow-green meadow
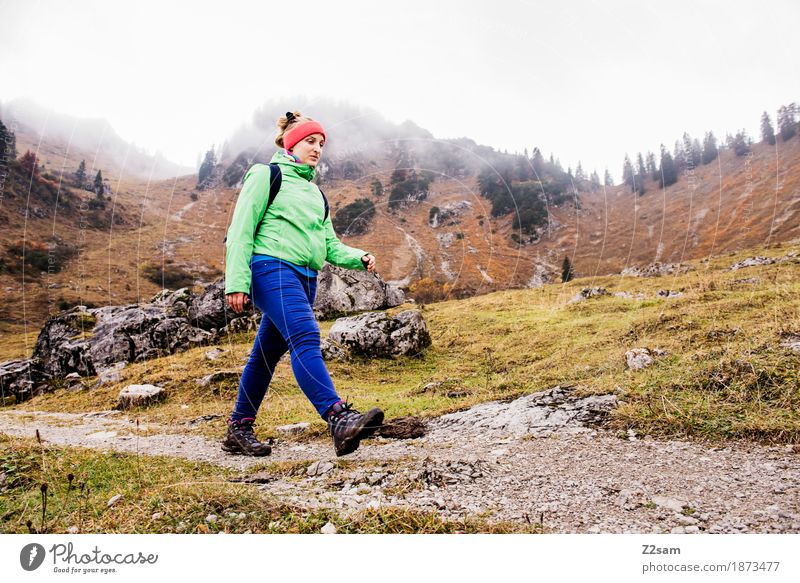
734	203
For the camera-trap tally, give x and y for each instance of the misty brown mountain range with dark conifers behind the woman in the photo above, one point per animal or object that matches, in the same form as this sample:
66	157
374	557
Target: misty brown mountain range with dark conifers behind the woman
449	218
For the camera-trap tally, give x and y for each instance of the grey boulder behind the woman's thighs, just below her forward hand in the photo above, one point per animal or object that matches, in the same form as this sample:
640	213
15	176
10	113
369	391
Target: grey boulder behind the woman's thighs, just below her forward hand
345	291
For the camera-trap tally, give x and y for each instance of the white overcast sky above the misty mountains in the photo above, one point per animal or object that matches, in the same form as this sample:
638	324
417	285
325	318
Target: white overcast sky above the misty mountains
586	80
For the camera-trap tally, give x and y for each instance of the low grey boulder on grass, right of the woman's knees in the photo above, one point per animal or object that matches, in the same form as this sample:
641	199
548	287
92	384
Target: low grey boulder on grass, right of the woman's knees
375	334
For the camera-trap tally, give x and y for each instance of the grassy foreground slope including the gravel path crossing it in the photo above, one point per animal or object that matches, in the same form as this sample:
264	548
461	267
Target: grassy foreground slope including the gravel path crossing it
497	390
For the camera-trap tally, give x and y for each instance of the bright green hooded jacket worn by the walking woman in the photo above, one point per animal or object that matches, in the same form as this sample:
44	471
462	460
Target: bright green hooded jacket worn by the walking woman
292	228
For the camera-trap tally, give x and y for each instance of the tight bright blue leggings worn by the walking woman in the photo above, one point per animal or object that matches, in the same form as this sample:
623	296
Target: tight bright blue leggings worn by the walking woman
284	298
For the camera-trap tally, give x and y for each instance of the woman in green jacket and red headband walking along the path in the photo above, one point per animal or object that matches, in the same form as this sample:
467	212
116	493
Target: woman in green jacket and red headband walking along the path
274	263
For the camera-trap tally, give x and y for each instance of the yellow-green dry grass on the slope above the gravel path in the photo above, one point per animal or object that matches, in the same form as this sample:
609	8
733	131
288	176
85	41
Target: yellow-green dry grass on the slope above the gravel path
515	342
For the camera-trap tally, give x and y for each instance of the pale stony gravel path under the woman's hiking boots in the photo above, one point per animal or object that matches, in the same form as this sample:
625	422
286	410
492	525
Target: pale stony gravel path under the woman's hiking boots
542	458
